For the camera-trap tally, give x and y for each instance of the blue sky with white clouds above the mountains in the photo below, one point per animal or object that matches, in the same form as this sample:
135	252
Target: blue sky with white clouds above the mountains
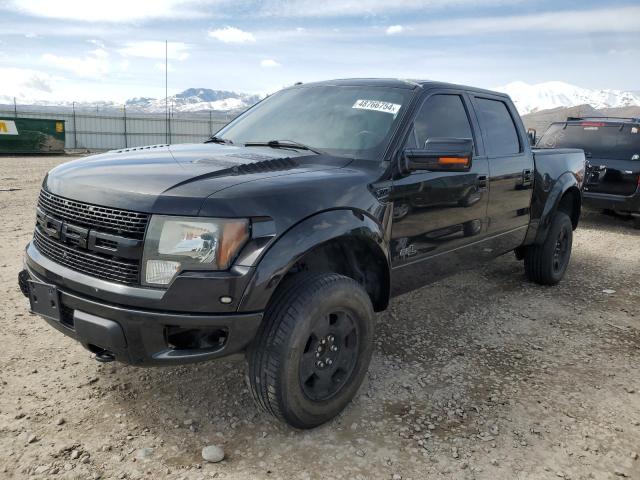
114	50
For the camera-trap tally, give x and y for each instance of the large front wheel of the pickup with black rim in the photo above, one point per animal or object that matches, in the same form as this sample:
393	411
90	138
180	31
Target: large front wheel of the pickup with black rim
312	350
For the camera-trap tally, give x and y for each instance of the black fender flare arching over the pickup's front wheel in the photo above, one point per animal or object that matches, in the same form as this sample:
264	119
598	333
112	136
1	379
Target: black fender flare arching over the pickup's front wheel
300	239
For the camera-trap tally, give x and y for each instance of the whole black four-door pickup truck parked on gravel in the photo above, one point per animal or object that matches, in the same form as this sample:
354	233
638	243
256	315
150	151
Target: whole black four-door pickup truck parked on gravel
282	235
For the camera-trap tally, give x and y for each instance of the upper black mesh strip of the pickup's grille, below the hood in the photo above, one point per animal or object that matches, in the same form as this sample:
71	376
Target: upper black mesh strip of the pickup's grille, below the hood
106	219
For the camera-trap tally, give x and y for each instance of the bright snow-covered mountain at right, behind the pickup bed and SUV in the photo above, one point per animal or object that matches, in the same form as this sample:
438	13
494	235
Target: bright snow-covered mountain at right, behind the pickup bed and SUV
543	96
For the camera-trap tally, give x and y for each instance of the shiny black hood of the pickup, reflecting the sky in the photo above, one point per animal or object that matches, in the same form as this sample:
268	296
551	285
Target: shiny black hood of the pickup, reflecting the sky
175	179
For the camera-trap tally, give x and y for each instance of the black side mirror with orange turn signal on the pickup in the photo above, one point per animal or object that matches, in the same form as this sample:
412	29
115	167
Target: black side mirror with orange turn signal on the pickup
440	155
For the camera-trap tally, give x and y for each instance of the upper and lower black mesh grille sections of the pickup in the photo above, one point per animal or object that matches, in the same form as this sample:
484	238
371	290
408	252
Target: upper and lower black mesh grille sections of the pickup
123	223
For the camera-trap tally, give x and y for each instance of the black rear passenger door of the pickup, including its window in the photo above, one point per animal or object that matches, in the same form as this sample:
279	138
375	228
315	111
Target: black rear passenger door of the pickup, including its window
511	169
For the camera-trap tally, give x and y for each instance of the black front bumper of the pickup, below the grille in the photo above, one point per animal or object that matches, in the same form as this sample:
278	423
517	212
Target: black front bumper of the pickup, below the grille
140	336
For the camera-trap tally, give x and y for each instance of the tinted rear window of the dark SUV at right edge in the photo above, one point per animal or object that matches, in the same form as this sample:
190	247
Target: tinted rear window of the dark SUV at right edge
597	139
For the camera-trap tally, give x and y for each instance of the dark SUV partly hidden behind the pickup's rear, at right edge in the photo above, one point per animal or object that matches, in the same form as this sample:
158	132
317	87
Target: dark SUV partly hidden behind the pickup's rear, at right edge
612	149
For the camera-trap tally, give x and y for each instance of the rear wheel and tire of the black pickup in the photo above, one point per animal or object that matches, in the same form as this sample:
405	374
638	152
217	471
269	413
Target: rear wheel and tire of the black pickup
546	264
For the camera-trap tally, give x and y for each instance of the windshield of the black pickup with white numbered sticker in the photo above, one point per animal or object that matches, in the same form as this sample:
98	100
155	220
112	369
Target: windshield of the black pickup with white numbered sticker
355	122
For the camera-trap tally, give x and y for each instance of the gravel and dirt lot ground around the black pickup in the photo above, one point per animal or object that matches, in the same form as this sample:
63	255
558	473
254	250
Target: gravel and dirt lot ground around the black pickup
482	376
